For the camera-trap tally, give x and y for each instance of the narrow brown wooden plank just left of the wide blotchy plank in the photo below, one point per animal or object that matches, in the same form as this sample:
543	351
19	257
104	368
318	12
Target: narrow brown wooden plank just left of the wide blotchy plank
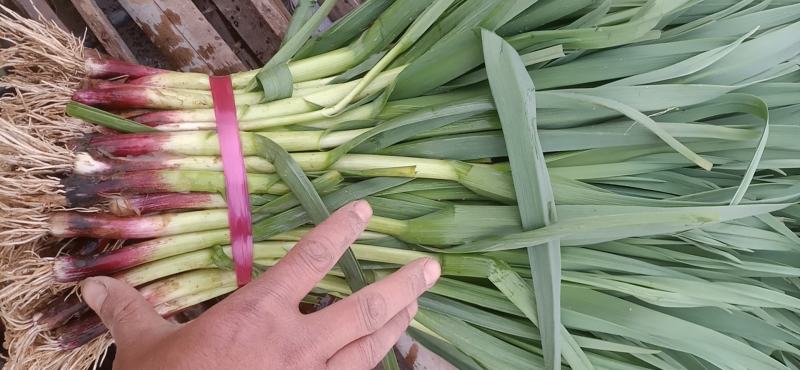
103	30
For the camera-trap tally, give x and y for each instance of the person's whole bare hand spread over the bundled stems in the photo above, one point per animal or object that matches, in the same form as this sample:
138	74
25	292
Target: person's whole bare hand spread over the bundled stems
260	325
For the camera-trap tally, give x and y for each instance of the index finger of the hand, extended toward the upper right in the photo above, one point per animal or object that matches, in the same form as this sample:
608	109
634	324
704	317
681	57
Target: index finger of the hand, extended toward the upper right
314	255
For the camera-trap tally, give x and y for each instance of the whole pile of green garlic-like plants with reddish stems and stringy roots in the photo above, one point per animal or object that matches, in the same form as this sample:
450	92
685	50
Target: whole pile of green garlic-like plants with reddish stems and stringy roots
654	163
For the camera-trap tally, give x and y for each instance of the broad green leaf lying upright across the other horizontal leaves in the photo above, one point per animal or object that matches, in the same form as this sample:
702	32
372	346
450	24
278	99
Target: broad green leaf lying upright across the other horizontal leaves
513	93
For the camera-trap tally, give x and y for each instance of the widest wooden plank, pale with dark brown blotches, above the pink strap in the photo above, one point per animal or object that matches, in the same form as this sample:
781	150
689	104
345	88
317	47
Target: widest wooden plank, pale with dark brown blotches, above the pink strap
183	35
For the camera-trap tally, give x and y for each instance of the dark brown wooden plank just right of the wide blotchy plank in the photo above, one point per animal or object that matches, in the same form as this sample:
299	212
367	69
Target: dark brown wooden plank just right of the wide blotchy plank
251	27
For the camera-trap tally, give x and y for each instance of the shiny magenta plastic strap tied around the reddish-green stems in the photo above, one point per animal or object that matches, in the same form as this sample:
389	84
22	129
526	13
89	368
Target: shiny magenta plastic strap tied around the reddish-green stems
238	199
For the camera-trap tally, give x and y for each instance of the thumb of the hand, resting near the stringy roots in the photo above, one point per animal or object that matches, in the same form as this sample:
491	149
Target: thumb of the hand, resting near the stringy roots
126	314
